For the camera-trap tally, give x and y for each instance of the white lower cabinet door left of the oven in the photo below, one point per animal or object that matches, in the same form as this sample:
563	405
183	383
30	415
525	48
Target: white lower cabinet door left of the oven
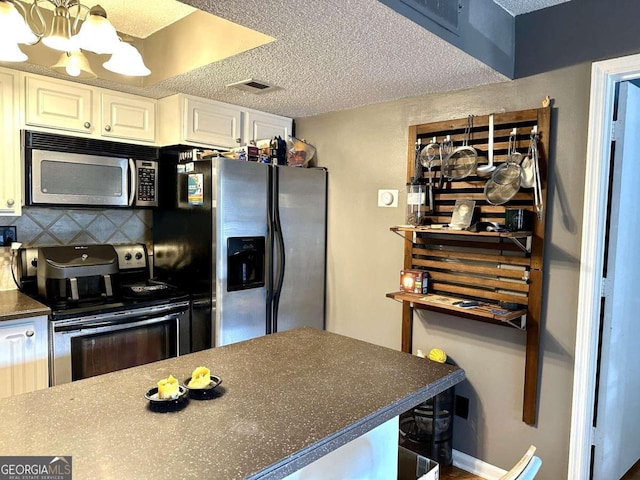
23	356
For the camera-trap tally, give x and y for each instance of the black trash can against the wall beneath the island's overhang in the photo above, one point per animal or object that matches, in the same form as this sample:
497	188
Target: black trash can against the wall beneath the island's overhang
427	429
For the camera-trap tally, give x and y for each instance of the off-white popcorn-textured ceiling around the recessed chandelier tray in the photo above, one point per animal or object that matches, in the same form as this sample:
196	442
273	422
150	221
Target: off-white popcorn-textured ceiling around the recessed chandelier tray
328	55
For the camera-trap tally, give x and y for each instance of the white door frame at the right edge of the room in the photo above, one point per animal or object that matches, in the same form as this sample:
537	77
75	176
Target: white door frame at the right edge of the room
604	77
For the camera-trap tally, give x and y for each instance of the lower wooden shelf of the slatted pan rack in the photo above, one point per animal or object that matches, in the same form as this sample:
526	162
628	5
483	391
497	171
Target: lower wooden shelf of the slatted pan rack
484	312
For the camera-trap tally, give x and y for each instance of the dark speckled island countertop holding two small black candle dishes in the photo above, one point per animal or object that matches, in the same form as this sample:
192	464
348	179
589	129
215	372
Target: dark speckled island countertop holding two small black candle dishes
288	399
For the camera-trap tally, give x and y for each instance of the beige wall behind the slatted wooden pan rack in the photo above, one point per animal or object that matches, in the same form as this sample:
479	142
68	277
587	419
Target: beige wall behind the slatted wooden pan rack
365	149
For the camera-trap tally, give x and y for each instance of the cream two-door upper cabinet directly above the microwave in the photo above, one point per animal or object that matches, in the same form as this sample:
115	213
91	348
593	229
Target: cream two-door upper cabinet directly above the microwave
53	104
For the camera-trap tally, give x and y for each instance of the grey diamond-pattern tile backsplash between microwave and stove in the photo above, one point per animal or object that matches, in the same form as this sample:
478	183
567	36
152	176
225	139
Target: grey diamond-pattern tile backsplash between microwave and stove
39	226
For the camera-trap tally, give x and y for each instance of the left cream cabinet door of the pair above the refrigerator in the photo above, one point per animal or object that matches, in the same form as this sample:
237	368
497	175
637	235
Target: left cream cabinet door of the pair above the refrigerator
211	123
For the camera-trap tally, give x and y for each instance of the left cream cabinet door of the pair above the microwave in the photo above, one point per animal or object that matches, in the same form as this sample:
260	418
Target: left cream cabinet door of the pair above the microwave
59	105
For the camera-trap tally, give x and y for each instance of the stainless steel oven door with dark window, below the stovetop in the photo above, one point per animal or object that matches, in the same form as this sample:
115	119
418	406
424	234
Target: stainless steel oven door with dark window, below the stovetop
93	345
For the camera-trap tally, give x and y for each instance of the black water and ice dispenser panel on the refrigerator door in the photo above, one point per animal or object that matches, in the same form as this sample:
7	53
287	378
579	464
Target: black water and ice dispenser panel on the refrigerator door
245	263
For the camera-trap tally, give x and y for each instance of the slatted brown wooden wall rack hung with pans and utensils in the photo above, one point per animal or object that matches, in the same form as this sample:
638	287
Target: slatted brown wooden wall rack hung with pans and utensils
488	267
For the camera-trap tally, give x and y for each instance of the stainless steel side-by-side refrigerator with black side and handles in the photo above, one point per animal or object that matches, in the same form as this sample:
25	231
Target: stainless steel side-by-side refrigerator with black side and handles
247	240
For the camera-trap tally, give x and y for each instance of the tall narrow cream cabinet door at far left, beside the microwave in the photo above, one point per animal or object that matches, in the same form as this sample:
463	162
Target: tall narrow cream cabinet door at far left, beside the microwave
10	184
